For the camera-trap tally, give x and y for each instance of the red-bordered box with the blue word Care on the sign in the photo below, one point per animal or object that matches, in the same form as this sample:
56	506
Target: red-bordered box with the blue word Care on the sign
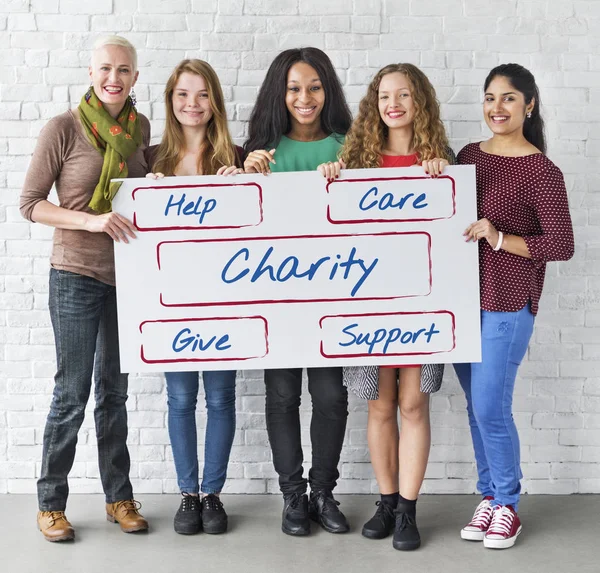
390	199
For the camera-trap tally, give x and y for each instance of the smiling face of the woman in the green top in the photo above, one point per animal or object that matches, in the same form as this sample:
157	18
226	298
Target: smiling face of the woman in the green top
305	96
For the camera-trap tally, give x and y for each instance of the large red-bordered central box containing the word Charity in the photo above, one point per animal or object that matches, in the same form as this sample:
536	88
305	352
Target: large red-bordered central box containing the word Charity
345	267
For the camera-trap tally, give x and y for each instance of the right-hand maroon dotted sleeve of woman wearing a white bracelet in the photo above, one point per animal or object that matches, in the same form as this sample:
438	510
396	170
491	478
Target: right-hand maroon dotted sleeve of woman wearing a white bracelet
550	202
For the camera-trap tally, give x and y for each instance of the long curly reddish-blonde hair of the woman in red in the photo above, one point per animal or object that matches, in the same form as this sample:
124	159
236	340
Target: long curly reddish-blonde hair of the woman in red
366	138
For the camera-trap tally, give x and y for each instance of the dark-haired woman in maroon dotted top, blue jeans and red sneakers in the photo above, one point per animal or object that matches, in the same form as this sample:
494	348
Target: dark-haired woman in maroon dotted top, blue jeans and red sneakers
524	222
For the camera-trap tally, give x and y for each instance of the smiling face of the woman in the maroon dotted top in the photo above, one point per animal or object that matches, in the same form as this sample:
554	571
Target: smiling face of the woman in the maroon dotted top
504	107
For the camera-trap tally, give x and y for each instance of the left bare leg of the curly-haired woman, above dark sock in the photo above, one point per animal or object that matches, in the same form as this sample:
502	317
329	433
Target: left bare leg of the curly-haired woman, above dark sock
382	432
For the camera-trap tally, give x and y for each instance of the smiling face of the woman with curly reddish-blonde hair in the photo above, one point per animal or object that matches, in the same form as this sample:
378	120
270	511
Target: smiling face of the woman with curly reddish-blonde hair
396	105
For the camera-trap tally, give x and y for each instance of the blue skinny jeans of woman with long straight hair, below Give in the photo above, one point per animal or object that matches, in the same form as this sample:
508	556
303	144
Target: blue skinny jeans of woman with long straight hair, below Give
182	396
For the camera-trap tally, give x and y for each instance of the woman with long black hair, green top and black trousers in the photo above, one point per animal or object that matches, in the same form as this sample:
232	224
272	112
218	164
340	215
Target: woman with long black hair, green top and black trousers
299	120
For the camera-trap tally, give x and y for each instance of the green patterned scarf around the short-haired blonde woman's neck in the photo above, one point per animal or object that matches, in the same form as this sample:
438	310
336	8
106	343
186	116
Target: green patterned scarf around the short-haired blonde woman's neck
116	140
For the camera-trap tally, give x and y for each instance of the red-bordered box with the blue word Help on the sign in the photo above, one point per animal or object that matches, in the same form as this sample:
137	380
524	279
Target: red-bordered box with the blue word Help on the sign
175	207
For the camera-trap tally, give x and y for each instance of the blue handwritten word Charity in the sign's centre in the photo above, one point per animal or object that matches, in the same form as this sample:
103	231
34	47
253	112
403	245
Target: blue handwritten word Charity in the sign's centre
268	266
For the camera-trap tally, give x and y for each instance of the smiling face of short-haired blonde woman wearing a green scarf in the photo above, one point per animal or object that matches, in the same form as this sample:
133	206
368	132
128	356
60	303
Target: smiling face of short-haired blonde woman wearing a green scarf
113	76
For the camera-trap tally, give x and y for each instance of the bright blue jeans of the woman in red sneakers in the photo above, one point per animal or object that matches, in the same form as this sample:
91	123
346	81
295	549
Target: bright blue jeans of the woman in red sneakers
488	387
